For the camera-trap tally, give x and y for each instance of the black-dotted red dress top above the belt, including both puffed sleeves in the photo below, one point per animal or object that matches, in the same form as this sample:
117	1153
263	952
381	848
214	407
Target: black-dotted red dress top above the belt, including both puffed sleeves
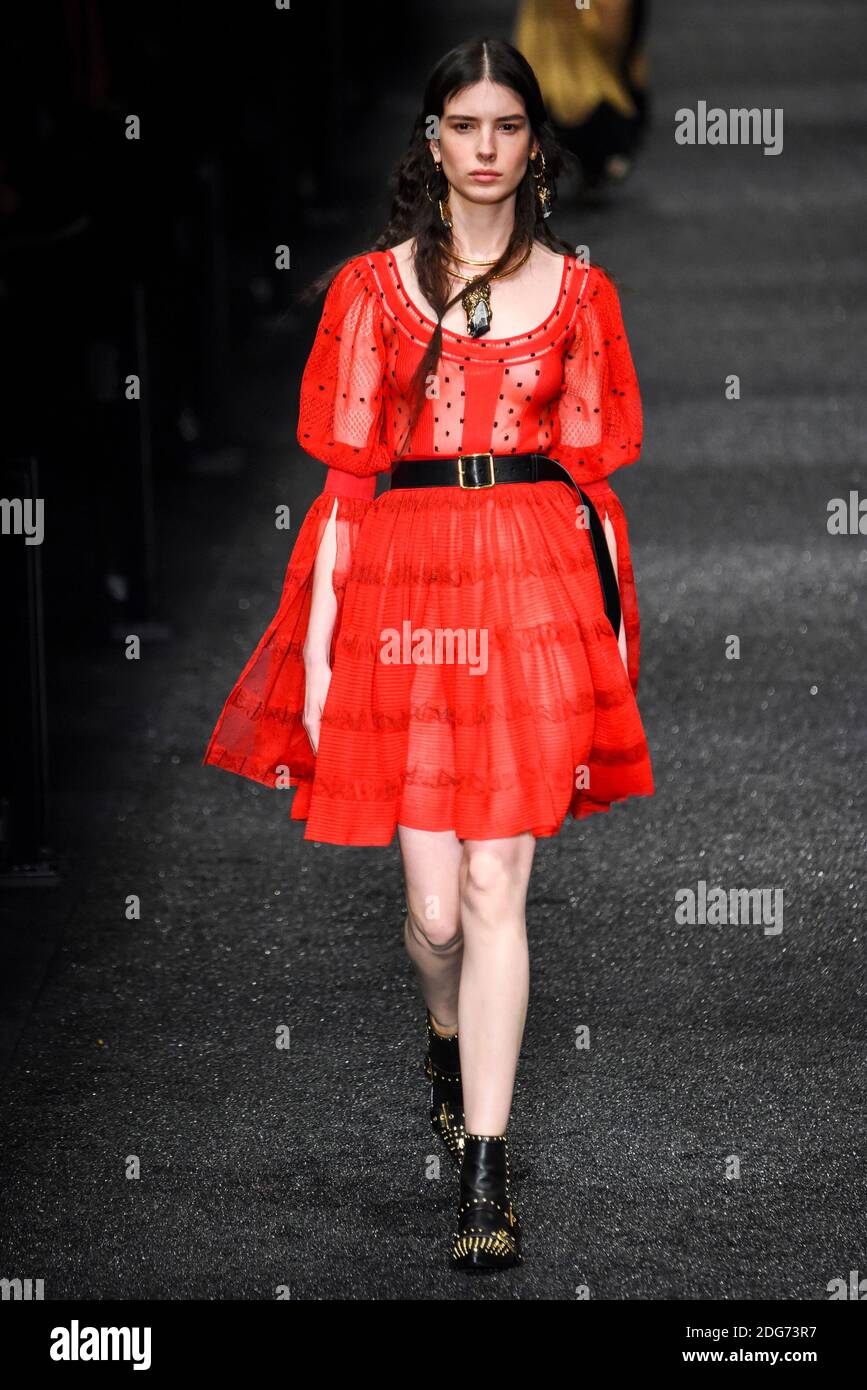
568	389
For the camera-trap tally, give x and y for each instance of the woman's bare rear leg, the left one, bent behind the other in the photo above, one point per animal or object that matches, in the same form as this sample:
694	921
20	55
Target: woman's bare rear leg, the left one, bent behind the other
433	931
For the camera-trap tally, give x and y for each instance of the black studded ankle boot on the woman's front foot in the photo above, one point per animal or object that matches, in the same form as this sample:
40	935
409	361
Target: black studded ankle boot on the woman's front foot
488	1232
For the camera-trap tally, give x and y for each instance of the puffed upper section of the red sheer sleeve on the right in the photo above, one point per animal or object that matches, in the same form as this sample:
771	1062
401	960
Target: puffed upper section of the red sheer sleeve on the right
600	412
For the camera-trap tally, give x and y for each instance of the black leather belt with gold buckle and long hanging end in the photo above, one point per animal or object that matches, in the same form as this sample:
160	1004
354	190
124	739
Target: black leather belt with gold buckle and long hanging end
487	471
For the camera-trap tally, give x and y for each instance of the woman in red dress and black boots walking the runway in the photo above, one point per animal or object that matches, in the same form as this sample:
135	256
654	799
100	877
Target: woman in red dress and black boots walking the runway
456	660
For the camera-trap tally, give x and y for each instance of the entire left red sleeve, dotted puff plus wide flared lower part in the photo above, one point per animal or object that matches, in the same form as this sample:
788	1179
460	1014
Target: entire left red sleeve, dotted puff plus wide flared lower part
261	733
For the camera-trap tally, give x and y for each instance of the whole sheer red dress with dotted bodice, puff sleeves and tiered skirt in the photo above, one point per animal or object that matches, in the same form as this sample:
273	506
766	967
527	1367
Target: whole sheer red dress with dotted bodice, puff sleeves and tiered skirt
477	685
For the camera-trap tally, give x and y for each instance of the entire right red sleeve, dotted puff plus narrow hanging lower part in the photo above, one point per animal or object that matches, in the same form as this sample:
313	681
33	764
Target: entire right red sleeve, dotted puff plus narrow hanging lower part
601	427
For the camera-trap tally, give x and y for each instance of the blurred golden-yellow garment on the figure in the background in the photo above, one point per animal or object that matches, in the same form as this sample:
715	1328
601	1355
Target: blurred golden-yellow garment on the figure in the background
577	55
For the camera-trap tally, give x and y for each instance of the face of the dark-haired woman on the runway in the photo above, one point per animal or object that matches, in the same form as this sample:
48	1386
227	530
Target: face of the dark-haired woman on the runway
484	127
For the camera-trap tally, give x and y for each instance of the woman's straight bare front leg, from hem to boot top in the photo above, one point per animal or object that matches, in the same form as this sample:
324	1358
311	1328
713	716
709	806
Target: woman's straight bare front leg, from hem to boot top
495	975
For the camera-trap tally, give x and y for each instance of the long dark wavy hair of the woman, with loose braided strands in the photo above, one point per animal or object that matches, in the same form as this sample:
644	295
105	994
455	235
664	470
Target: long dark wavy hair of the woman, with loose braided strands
418	186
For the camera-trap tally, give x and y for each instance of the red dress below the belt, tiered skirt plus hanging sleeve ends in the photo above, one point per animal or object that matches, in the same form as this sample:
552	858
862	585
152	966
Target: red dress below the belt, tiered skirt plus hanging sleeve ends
477	685
